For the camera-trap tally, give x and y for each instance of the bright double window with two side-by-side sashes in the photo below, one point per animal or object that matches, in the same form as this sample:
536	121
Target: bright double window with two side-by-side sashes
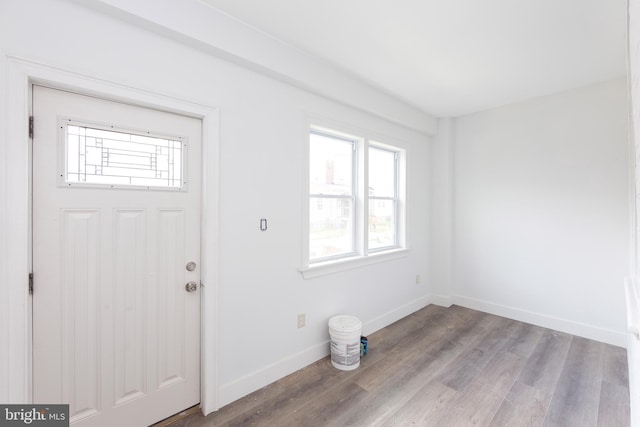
355	197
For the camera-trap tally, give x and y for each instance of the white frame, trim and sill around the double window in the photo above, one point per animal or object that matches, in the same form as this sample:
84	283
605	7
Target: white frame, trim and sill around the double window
362	255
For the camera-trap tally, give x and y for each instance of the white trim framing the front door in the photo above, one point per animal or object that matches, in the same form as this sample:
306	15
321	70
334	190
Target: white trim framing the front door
16	77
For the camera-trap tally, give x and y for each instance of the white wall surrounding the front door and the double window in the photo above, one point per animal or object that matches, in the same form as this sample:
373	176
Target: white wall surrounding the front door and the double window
262	139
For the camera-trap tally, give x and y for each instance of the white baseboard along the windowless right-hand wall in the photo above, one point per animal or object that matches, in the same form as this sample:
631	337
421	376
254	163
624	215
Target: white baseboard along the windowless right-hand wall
563	325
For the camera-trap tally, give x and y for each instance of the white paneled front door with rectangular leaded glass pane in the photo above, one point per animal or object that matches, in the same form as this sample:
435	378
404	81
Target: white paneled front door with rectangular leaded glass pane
116	241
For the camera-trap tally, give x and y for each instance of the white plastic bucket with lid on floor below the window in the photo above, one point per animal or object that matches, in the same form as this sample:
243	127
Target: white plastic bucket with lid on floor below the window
345	332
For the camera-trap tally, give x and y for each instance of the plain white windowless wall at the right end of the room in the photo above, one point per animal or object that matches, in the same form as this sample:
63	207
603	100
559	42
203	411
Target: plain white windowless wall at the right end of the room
541	211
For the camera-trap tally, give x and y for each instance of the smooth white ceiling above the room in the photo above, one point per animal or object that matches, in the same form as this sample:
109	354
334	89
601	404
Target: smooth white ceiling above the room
453	57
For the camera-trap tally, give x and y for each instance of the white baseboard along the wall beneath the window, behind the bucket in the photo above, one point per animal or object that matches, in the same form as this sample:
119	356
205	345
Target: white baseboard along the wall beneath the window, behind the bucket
256	380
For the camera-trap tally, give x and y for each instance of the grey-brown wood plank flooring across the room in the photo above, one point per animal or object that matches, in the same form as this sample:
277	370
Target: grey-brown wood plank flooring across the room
449	367
